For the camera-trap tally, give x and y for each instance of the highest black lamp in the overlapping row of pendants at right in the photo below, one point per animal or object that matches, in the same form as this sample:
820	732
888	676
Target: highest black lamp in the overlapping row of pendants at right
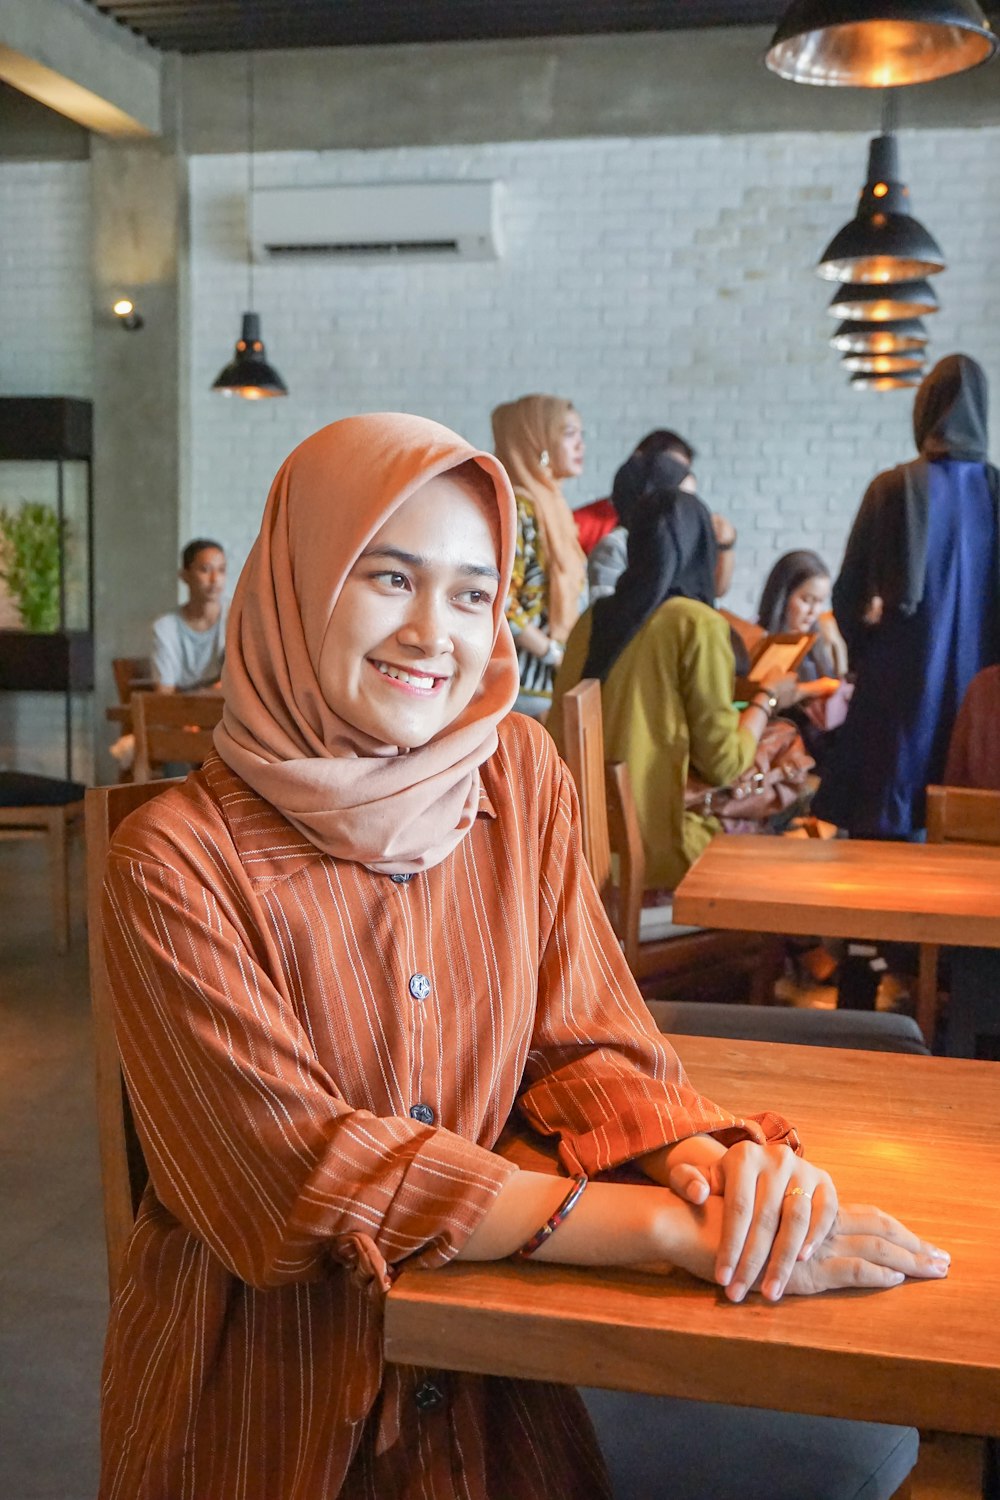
884	242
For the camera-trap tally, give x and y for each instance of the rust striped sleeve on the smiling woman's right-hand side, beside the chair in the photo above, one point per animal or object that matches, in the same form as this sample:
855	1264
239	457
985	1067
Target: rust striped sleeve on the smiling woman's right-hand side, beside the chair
600	1078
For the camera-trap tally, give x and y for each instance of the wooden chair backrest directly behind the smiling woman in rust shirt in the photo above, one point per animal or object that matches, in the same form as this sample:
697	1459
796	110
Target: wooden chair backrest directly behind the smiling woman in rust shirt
124	1174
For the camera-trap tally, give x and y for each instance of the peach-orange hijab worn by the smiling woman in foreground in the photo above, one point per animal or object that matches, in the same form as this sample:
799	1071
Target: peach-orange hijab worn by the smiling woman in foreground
394	811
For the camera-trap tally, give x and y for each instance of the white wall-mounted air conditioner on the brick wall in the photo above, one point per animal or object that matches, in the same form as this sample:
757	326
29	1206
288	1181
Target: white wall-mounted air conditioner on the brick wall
380	223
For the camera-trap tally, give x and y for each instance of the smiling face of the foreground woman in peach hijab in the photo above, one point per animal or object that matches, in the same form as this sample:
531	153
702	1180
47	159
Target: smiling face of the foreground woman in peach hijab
413	629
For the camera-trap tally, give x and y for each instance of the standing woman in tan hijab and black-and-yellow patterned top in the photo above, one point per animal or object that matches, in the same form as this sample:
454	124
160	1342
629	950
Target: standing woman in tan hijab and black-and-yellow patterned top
540	442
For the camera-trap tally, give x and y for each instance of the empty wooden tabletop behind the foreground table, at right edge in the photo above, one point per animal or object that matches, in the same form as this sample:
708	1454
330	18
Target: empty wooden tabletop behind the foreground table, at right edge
846	889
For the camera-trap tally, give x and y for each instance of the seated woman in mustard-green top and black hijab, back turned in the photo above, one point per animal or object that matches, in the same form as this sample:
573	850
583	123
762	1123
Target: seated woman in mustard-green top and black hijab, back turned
665	662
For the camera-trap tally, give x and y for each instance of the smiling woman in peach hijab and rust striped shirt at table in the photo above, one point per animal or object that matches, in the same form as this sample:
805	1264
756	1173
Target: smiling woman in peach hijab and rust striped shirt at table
356	961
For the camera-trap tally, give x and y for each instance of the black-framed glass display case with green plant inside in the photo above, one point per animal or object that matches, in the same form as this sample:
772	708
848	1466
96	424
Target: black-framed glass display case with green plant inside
47	548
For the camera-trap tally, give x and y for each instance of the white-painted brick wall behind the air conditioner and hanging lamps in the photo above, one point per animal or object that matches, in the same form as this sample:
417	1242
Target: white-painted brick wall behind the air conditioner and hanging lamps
657	283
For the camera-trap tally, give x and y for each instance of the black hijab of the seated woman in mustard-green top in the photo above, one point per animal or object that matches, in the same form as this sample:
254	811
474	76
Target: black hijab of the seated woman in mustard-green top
671	553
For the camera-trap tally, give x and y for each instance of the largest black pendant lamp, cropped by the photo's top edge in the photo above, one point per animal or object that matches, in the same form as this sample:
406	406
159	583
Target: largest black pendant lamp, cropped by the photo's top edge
879	44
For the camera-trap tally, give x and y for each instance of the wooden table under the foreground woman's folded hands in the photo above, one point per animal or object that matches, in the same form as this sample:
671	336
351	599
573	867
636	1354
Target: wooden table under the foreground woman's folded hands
920	1136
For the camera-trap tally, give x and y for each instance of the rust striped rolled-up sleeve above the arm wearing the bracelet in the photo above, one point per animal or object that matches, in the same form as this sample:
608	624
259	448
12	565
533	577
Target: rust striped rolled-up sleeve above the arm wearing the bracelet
248	1139
